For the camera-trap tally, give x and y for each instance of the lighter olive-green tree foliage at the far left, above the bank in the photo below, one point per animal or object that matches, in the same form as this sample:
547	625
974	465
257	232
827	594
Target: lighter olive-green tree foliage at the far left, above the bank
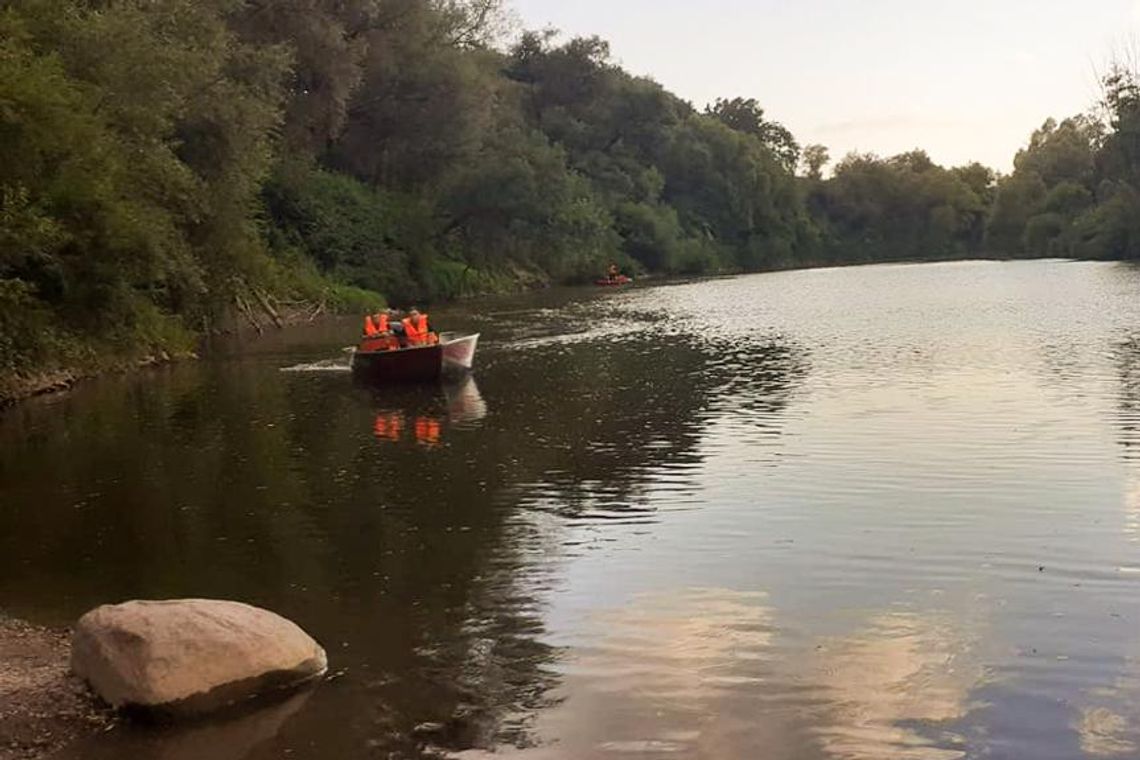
134	142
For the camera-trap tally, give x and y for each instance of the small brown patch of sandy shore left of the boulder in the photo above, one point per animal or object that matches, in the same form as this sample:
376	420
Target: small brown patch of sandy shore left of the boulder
43	707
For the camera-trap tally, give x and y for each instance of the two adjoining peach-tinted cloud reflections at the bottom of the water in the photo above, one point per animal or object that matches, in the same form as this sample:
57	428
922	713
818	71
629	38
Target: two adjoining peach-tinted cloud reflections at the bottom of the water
702	674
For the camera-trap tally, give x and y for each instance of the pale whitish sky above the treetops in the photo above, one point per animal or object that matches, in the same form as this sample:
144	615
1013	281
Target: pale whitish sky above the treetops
965	79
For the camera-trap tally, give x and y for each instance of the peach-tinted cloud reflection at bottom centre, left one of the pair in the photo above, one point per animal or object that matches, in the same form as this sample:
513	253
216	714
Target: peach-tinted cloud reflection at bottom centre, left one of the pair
680	675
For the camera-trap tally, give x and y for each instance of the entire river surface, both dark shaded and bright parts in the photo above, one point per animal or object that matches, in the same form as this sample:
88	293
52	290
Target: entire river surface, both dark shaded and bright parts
884	512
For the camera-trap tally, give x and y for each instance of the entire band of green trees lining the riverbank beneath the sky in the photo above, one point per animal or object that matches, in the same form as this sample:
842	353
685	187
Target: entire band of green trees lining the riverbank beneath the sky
165	164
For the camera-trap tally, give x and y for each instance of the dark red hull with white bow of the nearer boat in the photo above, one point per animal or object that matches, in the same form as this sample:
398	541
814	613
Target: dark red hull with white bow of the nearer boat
453	355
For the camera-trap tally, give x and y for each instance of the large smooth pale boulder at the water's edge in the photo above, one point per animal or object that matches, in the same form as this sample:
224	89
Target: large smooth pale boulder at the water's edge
191	656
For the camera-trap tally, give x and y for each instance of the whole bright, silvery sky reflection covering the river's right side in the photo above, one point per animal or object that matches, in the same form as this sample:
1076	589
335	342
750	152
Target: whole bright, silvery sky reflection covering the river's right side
931	540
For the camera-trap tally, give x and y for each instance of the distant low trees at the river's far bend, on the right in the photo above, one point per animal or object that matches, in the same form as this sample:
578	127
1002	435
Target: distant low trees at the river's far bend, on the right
1074	193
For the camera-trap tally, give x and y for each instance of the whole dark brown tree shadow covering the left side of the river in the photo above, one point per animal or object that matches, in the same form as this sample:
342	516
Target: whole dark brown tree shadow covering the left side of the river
416	533
